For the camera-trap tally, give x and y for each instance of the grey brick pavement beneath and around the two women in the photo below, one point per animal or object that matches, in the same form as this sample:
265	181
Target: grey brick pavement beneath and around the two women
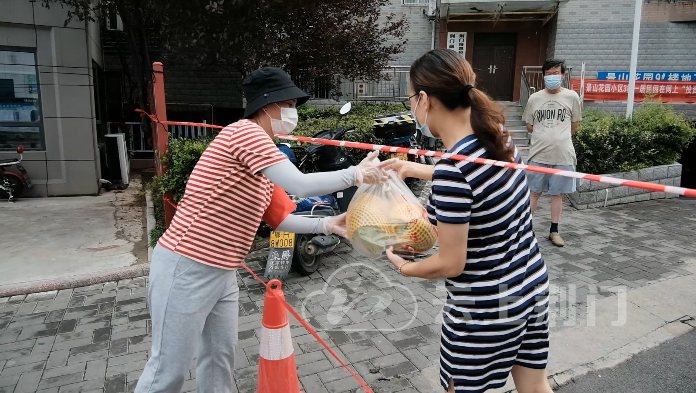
97	338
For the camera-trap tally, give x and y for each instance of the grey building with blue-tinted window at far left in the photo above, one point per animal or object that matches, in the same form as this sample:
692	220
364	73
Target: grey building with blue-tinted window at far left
48	102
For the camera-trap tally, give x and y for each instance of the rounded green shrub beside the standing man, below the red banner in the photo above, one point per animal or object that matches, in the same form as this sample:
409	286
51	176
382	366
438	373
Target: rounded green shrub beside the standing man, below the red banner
655	135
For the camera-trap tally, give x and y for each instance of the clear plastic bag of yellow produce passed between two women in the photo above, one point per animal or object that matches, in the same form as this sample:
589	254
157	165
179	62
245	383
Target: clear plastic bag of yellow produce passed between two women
385	215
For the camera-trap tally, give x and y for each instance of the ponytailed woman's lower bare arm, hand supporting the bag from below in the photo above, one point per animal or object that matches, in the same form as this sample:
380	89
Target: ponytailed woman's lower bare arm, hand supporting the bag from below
450	259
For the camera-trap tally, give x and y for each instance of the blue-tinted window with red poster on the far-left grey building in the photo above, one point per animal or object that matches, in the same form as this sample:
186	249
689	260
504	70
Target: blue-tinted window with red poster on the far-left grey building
20	113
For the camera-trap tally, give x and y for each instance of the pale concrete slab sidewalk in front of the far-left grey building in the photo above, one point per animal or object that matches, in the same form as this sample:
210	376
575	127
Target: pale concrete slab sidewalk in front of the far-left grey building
59	238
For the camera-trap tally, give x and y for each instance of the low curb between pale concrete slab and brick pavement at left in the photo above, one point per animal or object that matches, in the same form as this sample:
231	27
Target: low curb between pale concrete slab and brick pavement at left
76	281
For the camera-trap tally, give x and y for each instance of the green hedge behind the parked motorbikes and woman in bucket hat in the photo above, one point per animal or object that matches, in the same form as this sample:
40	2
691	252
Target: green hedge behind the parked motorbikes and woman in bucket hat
183	154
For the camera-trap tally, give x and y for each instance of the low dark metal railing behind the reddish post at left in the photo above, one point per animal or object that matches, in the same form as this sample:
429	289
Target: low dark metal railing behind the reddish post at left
138	142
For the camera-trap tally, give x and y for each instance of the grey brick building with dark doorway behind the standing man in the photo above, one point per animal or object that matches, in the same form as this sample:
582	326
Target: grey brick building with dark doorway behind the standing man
505	40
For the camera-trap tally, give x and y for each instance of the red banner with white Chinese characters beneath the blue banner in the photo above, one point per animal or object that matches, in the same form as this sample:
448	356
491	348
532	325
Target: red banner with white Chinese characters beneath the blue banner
615	90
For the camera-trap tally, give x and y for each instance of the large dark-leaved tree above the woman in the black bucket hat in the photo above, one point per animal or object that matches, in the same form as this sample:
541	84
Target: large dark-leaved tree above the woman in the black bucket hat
319	38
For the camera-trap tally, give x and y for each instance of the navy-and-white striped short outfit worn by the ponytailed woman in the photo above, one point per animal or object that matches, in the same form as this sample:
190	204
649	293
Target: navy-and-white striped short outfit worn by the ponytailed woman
496	314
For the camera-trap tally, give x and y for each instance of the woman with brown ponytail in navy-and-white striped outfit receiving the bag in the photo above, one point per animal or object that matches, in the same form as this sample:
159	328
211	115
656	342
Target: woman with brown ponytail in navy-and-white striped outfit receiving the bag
495	321
